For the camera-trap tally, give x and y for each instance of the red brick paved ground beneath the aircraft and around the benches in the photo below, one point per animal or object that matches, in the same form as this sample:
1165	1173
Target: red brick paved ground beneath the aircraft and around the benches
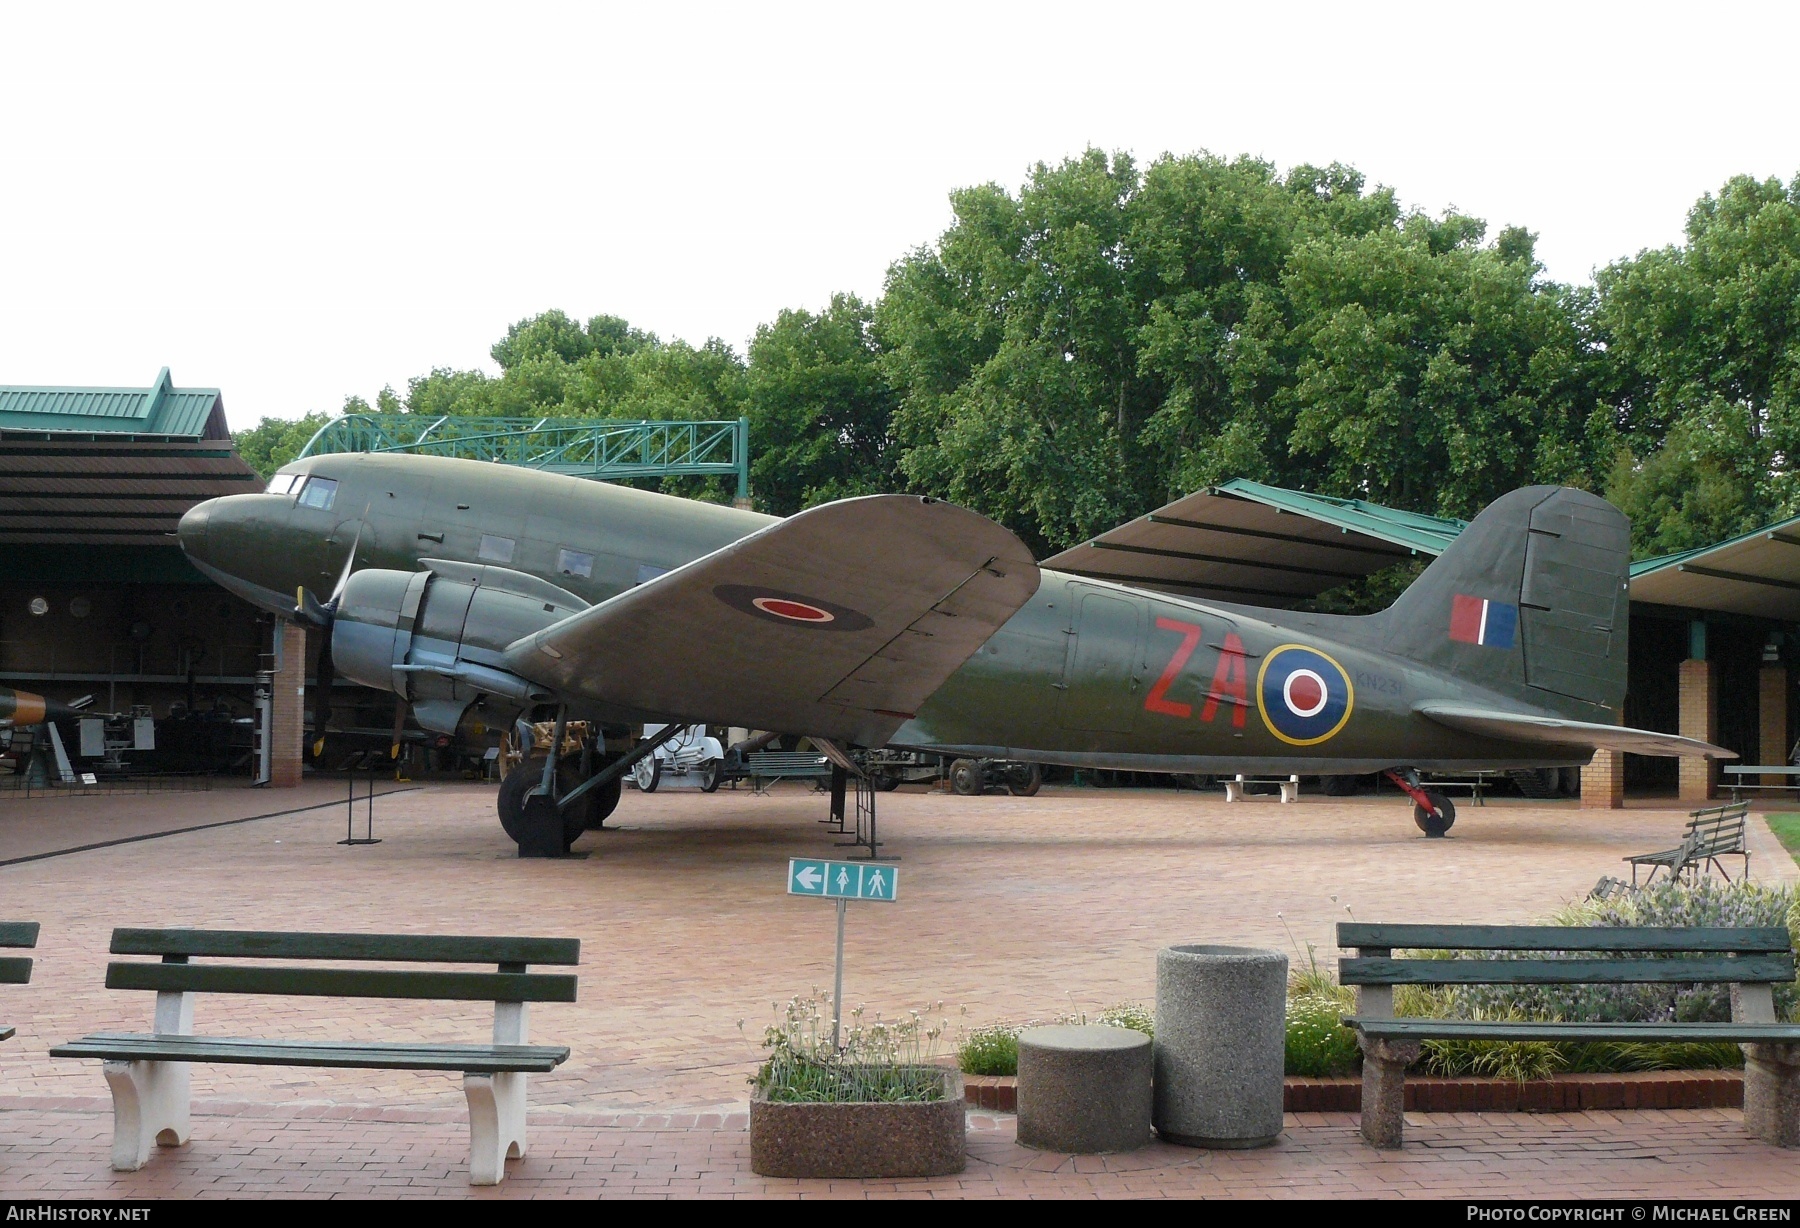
1011	908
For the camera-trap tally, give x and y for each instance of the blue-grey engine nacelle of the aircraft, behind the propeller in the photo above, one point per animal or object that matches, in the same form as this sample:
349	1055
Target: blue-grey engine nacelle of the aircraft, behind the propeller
436	637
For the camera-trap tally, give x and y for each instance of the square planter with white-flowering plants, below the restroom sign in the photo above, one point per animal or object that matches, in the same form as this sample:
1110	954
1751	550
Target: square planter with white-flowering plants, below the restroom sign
872	1106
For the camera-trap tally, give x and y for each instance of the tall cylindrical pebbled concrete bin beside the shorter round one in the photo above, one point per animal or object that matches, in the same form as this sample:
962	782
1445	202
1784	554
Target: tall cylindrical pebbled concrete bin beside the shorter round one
1221	1043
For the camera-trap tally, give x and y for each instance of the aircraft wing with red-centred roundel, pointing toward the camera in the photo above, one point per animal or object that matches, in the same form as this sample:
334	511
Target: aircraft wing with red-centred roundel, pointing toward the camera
838	622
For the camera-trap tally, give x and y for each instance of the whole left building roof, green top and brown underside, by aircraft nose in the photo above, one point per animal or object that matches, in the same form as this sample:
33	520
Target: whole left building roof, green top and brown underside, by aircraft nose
112	467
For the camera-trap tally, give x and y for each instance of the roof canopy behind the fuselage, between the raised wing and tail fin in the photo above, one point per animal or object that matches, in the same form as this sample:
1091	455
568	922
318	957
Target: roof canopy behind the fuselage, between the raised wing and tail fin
1243	541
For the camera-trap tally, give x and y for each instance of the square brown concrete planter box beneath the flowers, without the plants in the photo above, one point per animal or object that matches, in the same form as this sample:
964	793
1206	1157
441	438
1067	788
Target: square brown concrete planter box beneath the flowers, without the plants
861	1141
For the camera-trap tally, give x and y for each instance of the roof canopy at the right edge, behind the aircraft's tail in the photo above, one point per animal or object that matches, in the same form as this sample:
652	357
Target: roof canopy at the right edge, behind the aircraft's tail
1758	575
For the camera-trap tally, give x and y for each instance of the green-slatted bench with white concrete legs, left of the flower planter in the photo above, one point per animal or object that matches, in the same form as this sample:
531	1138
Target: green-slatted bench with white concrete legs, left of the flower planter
148	1072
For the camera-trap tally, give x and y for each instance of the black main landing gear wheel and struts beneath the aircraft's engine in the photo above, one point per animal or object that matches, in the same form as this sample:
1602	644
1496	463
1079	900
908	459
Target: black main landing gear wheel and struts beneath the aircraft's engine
548	804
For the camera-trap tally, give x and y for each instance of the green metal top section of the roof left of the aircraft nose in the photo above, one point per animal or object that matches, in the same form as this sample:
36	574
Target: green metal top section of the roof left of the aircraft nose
161	411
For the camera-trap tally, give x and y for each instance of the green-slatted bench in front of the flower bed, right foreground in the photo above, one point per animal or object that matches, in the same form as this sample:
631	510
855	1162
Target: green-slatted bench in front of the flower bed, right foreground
1750	961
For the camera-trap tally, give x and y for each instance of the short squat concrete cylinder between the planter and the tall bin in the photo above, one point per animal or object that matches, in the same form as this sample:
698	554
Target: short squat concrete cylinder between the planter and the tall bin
1084	1090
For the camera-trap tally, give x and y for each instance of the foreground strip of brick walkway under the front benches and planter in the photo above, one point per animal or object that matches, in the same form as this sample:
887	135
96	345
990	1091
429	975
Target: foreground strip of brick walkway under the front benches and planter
262	1151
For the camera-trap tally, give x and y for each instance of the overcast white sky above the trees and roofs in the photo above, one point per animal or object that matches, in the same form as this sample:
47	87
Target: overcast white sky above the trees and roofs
303	203
